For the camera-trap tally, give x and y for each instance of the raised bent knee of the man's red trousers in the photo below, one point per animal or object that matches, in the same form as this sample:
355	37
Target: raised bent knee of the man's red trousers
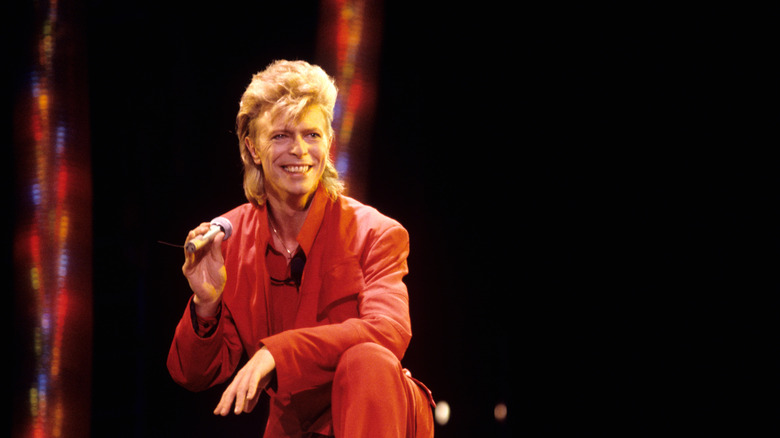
373	396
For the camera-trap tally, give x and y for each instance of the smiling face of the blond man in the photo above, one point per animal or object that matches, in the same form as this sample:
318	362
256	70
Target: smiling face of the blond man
293	154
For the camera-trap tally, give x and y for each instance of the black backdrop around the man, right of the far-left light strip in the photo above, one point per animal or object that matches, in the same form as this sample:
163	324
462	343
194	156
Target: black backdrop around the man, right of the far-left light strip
591	208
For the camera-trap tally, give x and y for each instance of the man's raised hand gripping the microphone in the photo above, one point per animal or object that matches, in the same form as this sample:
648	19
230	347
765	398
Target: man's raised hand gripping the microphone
205	272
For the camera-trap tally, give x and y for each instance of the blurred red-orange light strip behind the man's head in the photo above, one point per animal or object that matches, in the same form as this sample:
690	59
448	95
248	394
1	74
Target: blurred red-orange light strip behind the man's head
349	42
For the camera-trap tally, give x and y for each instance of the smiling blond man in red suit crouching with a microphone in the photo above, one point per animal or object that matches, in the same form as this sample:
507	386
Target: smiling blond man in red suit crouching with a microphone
309	284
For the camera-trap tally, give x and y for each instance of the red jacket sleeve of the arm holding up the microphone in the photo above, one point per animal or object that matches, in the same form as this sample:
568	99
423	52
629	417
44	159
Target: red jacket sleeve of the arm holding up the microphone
198	363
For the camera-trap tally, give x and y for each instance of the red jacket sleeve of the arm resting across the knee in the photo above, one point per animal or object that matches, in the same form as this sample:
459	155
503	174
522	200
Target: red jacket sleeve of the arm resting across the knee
307	357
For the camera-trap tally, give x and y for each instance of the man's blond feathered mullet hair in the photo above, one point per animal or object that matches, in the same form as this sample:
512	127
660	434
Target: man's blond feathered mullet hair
285	89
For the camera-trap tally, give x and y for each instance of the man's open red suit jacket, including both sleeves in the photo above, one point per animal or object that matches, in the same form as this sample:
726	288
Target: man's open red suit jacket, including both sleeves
351	292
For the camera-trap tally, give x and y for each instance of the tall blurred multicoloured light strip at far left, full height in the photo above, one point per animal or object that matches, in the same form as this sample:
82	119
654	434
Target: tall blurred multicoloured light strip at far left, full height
52	150
